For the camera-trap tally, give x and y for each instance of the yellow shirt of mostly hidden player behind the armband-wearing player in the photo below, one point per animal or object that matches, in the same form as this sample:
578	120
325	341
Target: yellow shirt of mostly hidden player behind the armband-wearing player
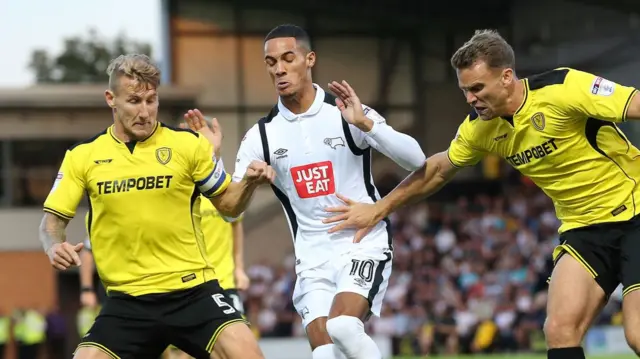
218	236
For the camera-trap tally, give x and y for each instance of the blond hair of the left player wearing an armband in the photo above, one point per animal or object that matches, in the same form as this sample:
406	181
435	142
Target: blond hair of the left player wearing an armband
134	66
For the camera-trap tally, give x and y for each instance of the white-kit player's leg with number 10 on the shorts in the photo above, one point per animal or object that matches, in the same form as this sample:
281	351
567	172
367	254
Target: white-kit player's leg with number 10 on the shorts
362	283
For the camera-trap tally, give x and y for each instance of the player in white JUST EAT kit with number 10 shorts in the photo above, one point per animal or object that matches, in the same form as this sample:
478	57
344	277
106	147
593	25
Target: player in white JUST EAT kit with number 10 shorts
319	145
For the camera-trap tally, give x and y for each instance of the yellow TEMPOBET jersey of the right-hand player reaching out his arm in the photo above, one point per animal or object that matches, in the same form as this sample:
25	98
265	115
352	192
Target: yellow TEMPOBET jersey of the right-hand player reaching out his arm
564	138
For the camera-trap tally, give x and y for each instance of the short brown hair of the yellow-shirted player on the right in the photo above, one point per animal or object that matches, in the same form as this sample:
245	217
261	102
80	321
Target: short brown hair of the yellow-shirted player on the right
485	45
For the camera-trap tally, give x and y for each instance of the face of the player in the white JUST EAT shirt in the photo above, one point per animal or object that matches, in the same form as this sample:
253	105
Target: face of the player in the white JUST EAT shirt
288	64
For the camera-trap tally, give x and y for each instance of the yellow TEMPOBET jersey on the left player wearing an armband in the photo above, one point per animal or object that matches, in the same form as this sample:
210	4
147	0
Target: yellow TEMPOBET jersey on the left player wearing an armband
144	202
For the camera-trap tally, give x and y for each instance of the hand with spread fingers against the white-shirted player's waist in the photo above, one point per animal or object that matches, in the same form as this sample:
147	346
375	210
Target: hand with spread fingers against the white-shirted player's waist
353	215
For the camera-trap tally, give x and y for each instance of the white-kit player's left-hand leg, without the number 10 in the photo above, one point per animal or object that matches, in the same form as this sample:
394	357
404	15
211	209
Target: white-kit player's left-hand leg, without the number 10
312	299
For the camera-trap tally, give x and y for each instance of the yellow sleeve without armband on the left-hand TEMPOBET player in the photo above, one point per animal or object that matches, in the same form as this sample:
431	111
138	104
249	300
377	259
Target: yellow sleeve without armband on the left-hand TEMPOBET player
68	189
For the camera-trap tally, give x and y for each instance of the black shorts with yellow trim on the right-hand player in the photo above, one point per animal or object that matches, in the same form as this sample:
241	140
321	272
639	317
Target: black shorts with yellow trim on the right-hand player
610	252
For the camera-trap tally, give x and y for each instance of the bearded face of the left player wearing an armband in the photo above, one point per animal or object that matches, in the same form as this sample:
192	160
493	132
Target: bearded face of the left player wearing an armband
135	107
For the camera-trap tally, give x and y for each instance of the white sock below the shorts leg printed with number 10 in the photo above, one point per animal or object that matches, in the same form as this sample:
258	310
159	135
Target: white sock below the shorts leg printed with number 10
348	335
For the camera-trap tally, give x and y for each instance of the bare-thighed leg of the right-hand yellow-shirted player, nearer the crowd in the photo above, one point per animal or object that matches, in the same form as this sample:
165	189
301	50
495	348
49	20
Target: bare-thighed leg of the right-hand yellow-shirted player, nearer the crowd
584	276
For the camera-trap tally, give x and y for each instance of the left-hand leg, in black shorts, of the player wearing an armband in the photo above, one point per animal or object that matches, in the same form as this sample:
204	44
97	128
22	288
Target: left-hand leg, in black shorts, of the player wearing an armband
123	329
